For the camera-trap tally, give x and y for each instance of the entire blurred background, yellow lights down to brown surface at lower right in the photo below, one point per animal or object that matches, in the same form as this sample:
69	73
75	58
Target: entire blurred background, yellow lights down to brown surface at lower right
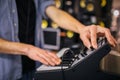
105	13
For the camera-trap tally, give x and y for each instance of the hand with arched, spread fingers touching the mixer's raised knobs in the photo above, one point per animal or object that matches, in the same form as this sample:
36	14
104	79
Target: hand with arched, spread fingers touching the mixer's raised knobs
89	35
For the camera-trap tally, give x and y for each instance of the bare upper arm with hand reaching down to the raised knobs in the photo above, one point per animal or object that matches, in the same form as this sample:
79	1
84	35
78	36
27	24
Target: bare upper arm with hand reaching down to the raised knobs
87	34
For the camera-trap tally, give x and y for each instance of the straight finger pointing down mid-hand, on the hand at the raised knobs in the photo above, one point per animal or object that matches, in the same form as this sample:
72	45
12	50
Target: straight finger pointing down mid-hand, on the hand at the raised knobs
93	34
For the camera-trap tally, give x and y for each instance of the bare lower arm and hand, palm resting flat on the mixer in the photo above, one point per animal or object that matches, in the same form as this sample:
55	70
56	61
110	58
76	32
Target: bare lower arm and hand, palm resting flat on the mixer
32	52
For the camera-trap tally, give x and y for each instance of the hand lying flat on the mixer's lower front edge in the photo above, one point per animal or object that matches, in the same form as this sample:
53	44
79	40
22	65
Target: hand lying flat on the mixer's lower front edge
43	56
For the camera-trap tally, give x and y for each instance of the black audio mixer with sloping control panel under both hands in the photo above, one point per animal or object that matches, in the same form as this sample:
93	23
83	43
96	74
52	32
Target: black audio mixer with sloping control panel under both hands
78	63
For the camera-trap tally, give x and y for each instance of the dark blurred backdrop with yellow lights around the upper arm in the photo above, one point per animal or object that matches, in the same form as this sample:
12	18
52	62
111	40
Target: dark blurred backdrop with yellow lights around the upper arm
105	13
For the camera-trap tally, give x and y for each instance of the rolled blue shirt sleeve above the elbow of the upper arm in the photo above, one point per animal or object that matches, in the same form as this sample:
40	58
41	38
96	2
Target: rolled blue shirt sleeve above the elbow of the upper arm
43	4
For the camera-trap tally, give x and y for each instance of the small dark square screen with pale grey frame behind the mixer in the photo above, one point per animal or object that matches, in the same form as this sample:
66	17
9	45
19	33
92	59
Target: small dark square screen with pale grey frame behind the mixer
51	38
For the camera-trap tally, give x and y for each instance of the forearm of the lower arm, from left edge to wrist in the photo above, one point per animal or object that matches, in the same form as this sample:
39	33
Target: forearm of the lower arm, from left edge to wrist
8	47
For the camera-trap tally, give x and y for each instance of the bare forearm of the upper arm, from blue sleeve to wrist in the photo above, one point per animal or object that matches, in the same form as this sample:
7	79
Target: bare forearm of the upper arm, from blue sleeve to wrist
63	19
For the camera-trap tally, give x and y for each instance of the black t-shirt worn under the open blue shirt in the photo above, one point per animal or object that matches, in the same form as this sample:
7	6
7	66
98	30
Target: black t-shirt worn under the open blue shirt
26	16
